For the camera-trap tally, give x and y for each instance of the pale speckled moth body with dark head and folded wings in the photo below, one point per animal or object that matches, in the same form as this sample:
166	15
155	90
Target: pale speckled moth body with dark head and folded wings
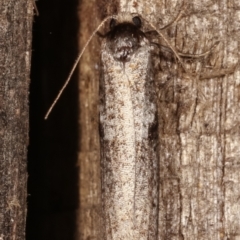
128	132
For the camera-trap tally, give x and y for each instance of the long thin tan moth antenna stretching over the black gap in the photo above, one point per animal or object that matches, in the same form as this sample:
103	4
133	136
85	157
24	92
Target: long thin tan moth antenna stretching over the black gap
74	66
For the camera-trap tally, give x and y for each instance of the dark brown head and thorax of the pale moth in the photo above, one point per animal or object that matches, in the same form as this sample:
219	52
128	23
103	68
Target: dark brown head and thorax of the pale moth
125	37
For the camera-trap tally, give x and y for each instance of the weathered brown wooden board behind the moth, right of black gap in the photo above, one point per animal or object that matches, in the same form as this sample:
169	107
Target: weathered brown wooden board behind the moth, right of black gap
199	118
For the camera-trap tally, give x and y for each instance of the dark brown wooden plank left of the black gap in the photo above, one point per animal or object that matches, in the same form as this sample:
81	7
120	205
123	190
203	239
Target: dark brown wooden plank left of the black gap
15	56
